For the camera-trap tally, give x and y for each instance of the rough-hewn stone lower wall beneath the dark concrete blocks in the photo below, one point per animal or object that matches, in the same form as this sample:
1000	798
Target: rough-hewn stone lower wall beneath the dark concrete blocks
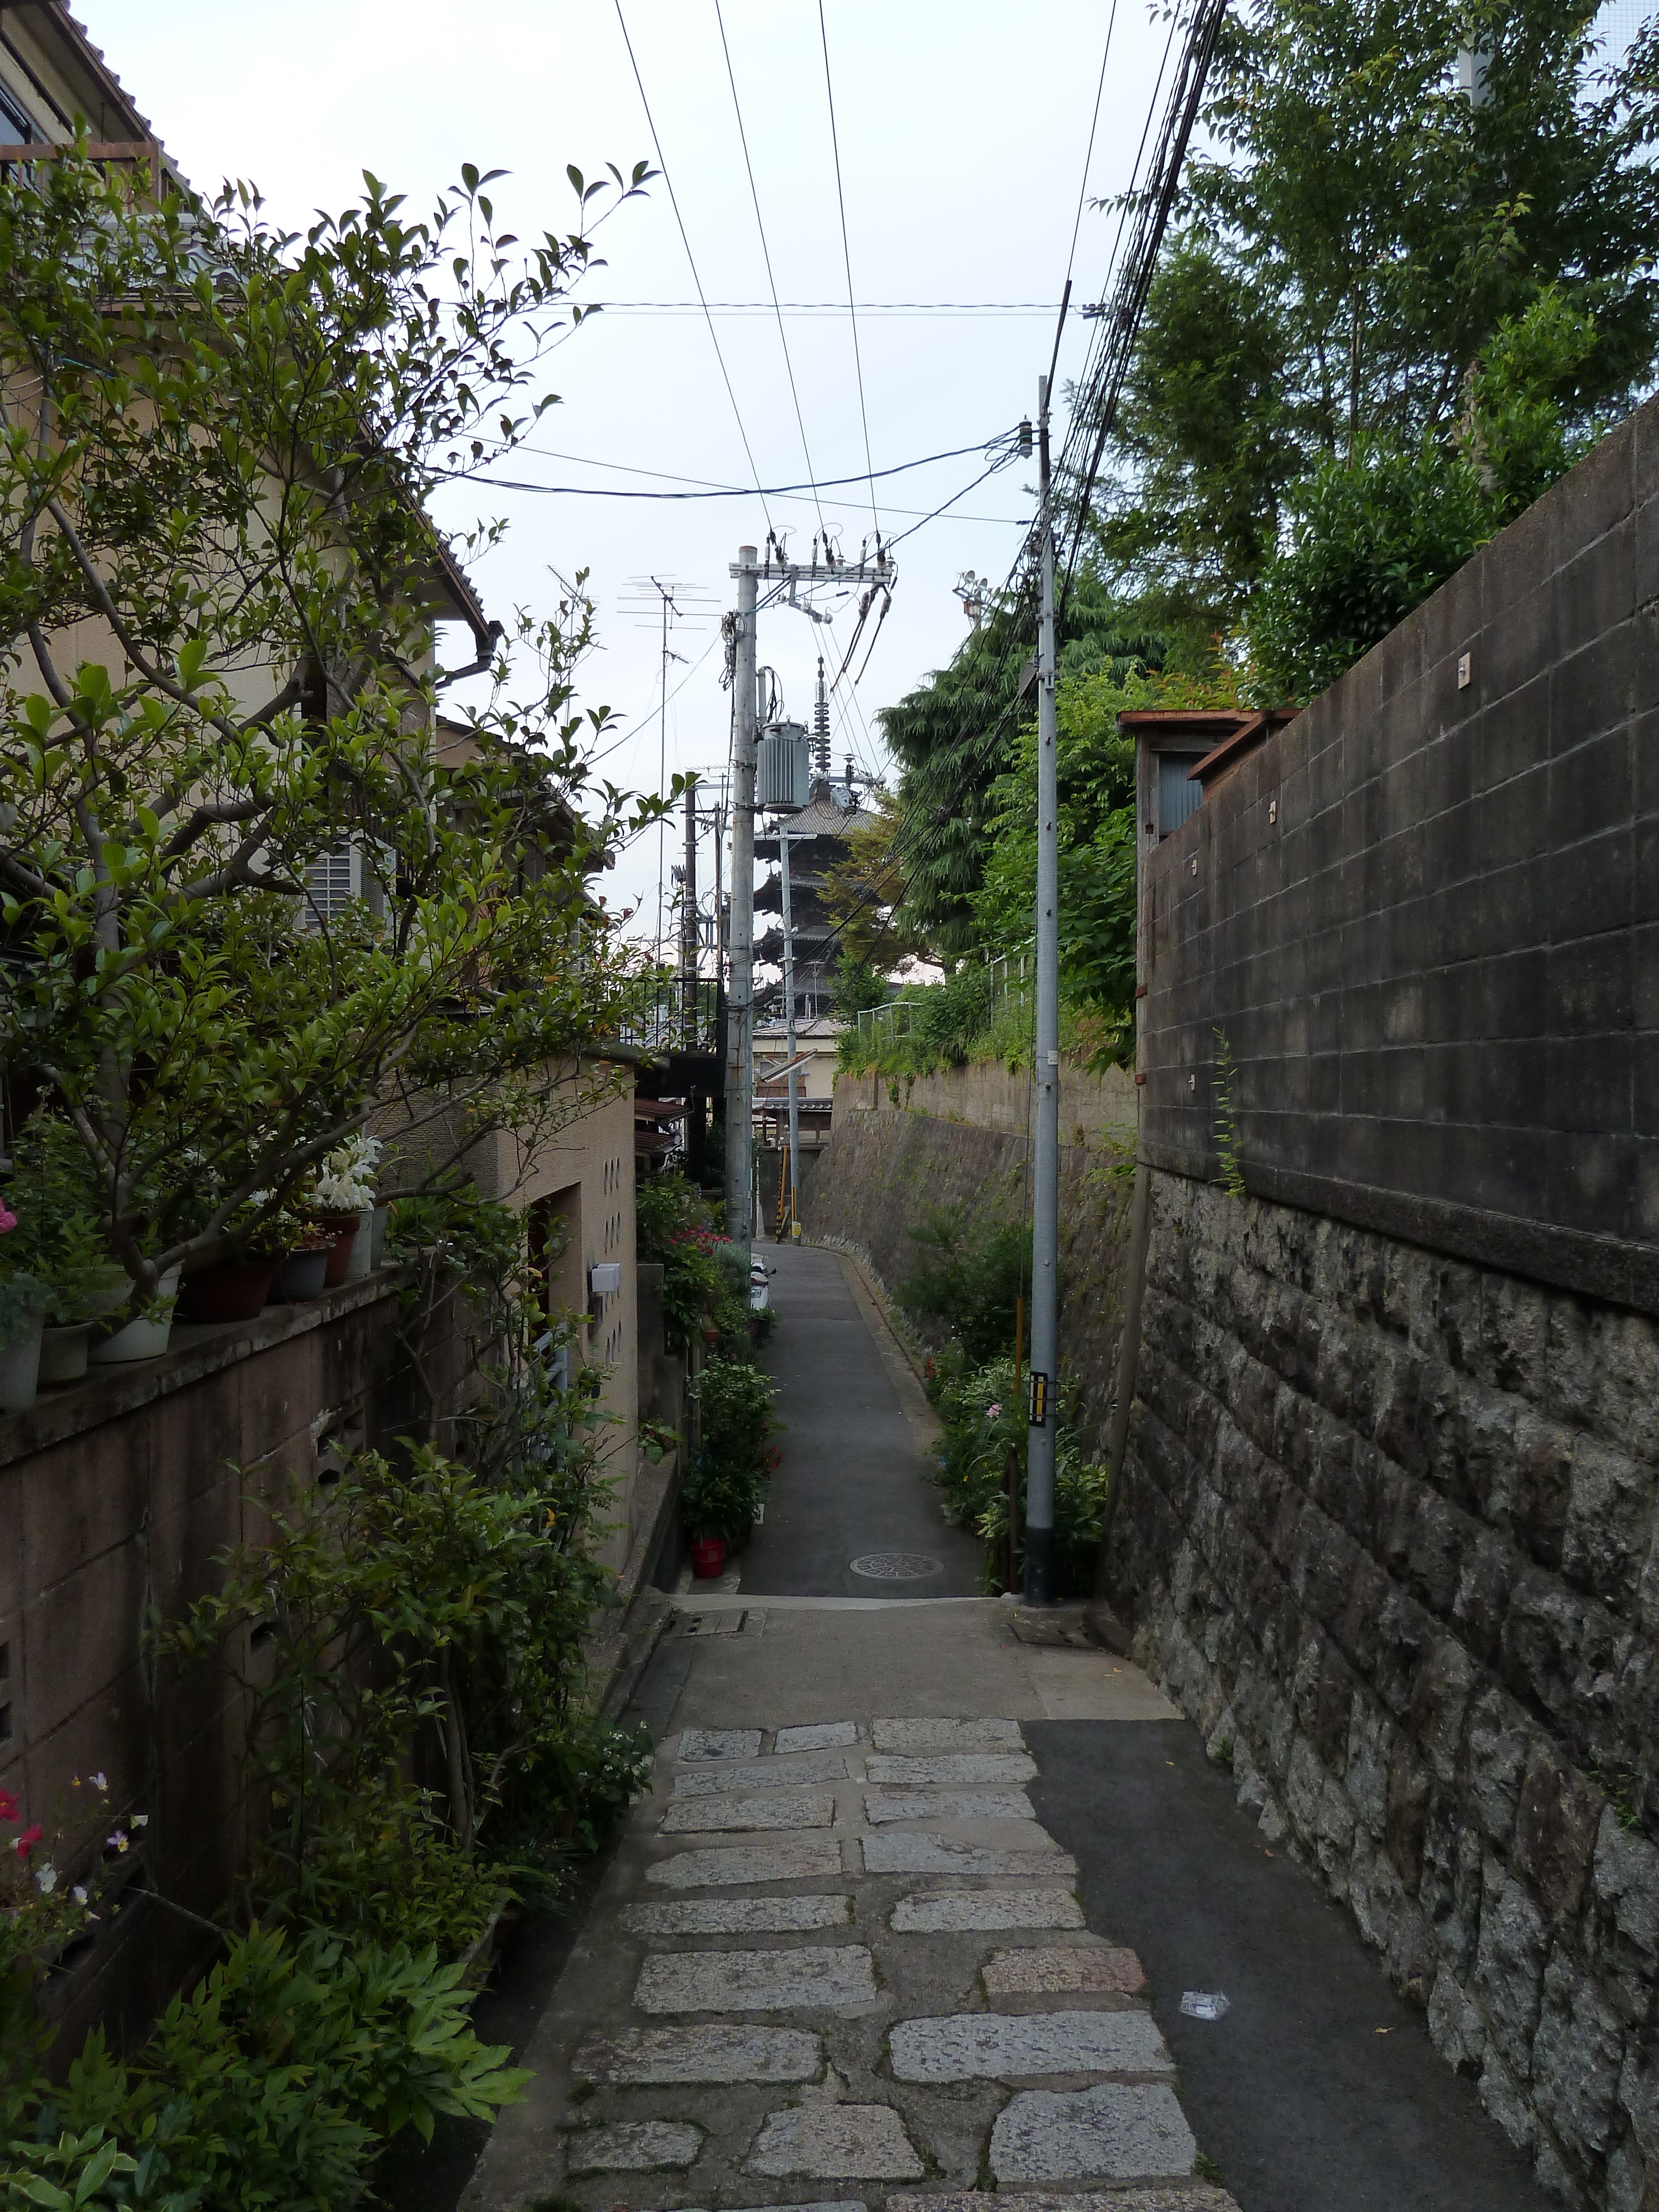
1390	1538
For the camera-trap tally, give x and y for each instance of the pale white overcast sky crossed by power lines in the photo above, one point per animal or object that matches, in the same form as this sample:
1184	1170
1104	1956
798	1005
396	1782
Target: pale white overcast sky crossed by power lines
963	132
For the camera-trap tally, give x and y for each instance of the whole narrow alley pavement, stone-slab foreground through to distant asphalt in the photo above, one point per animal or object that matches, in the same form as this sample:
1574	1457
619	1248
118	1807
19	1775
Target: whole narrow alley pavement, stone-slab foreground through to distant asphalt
919	1912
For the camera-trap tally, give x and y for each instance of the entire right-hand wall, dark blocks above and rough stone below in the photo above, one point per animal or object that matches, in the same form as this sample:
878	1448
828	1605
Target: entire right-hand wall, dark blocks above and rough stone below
1390	1519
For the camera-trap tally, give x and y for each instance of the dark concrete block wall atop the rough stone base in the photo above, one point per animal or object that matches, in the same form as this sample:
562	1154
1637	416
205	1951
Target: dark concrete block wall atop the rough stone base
1426	917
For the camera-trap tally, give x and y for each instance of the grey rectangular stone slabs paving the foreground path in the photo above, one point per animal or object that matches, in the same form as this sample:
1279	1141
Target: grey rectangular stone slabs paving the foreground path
837	1968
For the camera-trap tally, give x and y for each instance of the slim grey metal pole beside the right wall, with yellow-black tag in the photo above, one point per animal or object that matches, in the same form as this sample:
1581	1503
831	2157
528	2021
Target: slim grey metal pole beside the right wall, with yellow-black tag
1045	1167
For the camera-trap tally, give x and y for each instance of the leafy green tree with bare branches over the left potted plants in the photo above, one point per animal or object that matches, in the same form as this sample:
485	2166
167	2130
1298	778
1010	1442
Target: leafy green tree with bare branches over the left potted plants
216	614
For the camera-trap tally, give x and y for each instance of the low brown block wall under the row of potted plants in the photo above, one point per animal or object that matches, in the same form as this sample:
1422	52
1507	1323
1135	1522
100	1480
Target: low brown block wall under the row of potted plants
118	1499
